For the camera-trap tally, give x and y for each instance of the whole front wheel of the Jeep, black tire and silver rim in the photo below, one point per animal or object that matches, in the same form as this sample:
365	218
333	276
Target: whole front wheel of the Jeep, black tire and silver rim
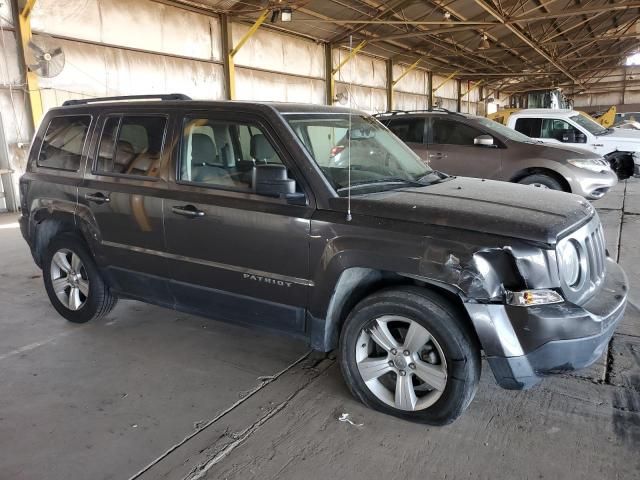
407	352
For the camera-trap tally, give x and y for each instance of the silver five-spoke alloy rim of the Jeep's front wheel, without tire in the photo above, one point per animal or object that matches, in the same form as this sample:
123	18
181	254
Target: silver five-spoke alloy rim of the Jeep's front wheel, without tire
401	363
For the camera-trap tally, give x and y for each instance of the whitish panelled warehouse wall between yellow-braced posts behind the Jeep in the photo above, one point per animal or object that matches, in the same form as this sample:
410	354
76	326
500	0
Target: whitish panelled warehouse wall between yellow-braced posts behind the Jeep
123	47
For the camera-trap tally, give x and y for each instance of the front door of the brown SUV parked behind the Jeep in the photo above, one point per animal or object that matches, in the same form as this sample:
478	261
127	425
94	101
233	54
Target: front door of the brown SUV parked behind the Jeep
451	149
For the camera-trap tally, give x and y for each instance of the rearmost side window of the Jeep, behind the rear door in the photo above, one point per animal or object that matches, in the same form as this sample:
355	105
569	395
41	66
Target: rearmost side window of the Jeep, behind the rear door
63	142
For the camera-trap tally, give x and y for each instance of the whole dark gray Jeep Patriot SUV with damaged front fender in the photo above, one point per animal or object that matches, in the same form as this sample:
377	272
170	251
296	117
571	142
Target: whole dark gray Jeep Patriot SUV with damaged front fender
235	211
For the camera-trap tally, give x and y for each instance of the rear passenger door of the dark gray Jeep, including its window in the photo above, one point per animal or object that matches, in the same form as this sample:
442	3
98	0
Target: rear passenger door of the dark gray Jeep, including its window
121	196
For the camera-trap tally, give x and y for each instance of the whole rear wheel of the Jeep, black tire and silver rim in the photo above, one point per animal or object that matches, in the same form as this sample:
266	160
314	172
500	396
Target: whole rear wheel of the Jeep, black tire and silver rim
73	282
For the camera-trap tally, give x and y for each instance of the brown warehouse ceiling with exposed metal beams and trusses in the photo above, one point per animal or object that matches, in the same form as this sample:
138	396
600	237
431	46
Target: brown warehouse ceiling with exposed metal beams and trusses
514	45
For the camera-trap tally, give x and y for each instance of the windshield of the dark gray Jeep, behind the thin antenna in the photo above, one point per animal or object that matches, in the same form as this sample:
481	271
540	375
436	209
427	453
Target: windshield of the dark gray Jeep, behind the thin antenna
379	159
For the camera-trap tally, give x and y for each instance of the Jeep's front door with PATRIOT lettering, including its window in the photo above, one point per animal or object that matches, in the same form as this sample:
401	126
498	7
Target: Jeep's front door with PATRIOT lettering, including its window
237	252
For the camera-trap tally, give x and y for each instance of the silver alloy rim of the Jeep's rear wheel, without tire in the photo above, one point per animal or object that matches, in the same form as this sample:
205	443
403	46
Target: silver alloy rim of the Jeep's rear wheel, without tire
69	279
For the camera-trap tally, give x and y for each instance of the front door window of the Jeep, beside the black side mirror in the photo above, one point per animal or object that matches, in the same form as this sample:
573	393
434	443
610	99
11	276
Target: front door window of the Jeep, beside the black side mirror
224	154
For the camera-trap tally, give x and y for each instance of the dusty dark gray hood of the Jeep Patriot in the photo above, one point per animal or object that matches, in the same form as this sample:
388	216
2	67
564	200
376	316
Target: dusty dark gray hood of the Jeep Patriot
499	208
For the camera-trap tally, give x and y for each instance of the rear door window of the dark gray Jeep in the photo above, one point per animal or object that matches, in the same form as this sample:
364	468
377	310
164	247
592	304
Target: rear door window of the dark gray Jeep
131	145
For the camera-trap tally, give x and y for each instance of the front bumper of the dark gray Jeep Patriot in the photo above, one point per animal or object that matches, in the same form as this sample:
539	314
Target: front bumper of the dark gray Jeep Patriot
525	344
